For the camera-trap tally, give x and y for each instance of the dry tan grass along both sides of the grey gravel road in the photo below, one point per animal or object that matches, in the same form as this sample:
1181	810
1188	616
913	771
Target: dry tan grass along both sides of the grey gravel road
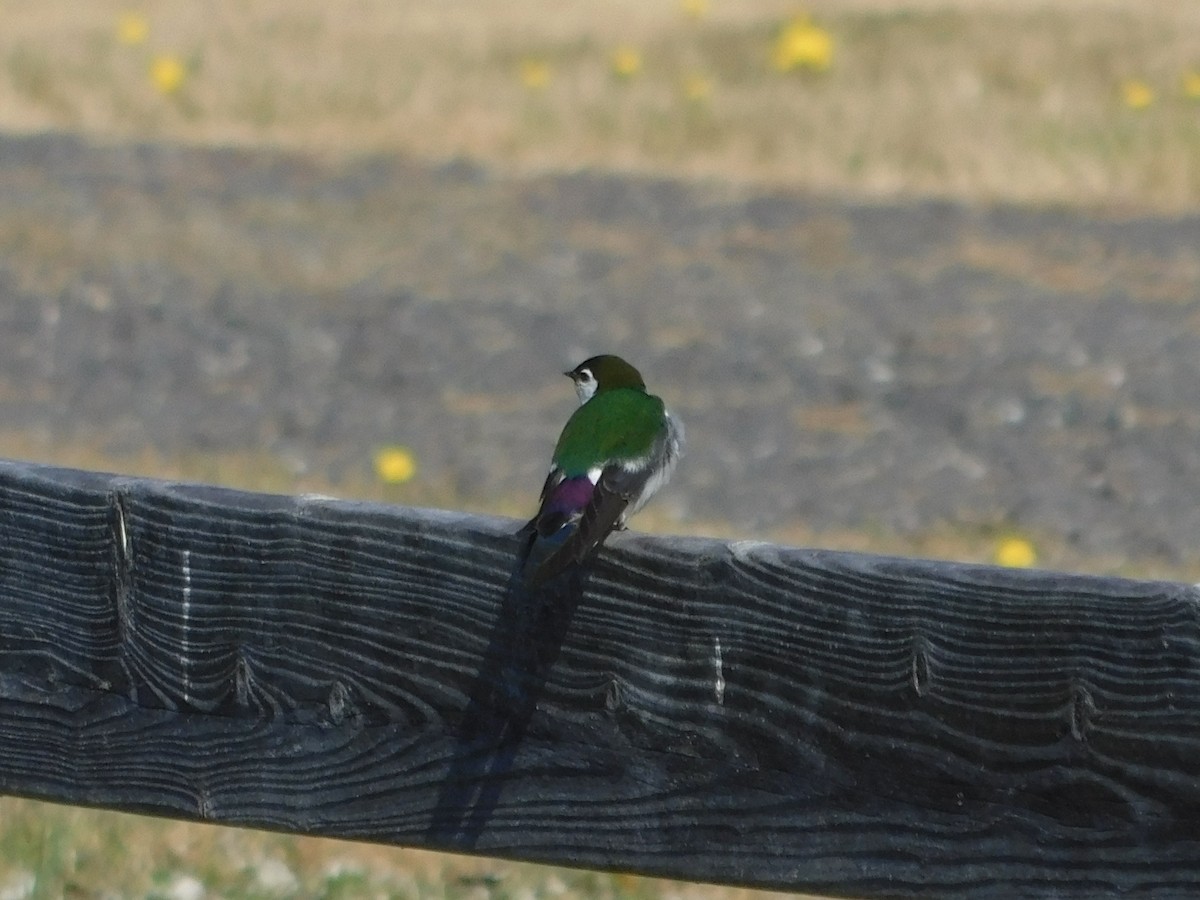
1087	103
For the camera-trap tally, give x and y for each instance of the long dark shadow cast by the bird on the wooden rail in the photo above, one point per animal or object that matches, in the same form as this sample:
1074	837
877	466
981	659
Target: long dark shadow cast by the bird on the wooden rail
524	646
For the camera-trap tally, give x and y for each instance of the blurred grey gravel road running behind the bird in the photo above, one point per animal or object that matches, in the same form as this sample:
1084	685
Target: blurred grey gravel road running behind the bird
893	367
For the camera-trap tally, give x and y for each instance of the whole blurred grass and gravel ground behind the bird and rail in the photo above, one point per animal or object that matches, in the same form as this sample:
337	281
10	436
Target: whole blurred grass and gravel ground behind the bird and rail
921	277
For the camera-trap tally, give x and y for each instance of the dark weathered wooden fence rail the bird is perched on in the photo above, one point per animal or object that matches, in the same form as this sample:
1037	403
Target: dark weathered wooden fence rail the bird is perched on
743	713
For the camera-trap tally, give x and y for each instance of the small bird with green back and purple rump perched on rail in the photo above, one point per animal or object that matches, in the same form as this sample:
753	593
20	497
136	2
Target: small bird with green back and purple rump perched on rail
615	453
